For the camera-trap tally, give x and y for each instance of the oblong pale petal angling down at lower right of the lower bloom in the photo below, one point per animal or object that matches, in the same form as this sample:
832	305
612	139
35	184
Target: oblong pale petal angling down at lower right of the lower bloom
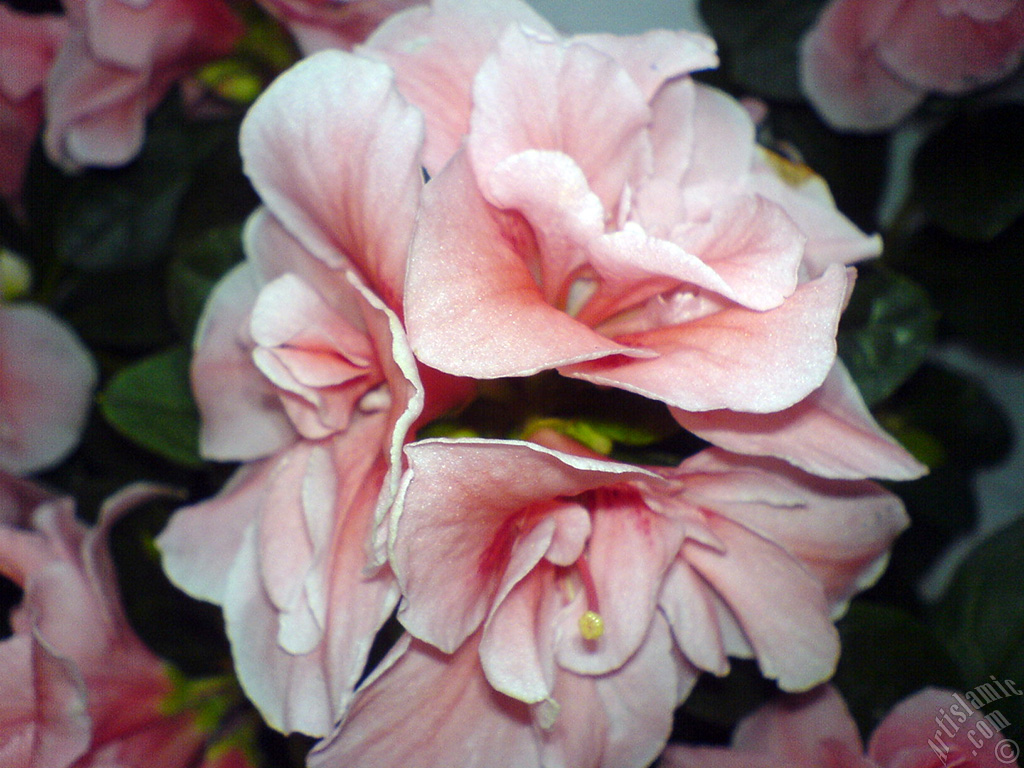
783	612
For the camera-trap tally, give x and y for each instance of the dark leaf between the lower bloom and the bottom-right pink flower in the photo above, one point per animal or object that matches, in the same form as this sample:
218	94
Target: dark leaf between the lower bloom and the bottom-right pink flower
887	656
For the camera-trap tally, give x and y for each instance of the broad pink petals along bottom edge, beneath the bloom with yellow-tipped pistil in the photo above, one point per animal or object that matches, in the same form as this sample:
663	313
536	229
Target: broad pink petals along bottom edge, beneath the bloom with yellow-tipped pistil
423	708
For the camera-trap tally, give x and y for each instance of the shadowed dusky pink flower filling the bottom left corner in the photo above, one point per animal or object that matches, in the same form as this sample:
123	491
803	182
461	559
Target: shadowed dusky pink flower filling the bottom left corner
77	687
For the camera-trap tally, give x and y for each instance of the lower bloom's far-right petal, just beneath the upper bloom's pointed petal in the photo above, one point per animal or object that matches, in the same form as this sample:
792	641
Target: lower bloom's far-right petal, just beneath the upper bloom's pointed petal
840	531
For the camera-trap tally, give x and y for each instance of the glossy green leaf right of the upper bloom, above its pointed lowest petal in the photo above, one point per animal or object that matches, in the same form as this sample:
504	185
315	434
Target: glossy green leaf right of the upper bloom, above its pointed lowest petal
886	332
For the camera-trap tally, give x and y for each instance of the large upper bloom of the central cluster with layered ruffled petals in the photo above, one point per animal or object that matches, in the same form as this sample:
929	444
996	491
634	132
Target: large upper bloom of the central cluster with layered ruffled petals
594	210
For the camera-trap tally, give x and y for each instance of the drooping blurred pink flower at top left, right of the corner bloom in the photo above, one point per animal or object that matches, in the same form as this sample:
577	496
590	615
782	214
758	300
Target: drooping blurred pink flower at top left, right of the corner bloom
117	64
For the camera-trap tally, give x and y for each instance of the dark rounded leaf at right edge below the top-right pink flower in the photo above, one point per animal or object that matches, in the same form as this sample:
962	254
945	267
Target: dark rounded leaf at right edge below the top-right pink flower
969	176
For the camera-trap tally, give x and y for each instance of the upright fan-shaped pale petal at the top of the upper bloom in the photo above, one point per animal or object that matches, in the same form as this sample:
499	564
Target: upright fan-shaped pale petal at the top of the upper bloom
540	95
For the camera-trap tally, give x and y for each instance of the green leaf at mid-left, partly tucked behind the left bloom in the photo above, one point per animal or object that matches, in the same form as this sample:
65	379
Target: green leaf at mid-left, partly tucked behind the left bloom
151	404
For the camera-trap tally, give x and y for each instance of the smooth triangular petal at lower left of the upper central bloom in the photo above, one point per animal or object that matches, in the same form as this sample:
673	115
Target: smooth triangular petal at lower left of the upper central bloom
473	308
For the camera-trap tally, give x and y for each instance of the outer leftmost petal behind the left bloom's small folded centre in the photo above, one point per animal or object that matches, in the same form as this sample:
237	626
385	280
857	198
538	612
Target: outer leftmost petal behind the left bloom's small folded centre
242	417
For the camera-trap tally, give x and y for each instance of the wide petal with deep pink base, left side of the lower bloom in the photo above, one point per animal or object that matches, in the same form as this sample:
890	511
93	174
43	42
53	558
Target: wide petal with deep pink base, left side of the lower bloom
468	504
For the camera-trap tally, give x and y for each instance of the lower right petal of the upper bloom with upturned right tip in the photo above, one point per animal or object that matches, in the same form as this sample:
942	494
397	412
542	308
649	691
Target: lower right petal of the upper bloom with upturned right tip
735	358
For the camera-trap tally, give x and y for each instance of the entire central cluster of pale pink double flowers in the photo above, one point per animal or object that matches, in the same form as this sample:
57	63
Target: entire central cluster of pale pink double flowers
589	209
